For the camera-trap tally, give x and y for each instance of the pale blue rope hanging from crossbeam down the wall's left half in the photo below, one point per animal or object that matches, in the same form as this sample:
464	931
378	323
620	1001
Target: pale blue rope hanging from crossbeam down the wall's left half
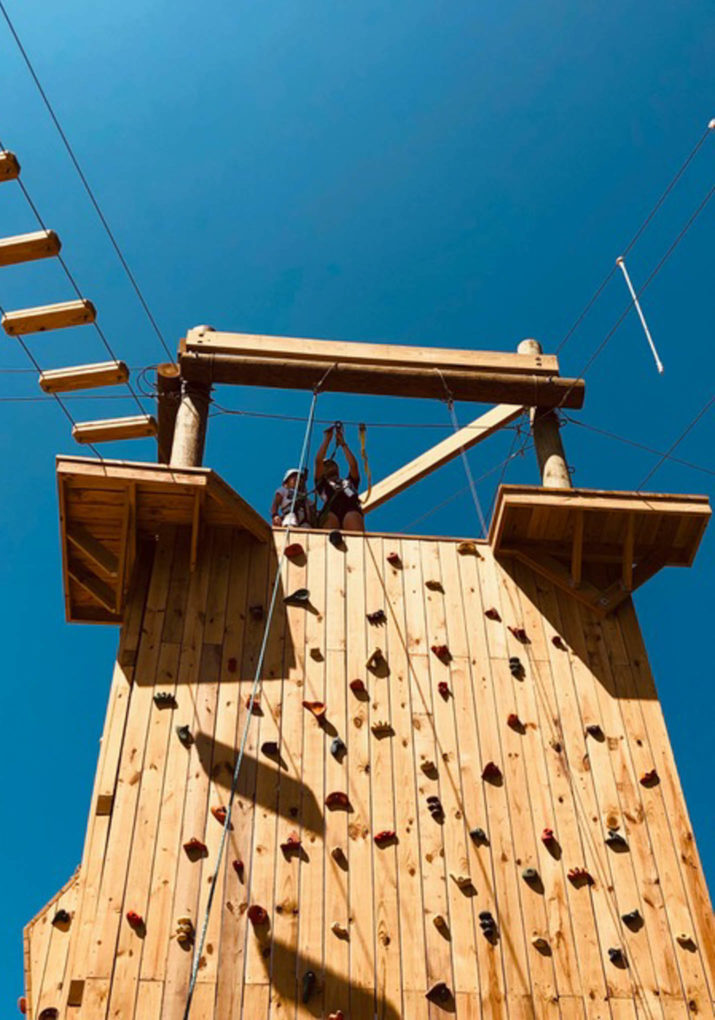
252	700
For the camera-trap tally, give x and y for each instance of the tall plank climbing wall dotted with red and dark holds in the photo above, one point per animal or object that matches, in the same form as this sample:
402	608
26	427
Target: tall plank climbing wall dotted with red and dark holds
193	635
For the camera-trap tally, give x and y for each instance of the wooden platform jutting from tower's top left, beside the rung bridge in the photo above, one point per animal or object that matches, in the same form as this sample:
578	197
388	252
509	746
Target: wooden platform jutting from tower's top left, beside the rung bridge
108	506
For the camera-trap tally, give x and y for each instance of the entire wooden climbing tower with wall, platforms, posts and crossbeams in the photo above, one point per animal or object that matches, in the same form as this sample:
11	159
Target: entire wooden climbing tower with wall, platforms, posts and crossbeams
512	840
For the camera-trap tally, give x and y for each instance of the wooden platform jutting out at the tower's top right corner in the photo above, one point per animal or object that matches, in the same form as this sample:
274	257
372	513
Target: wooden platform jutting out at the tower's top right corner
599	546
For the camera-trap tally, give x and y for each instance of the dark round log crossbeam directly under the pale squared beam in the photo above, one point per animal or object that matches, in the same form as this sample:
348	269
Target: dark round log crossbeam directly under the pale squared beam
481	387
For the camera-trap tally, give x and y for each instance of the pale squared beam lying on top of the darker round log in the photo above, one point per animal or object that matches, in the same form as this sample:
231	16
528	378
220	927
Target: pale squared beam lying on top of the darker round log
203	340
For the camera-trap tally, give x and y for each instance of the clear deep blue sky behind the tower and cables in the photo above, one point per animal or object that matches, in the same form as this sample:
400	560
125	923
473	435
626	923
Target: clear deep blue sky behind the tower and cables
452	175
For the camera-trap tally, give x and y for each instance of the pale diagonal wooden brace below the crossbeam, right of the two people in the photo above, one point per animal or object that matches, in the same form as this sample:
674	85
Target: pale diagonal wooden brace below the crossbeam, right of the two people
428	463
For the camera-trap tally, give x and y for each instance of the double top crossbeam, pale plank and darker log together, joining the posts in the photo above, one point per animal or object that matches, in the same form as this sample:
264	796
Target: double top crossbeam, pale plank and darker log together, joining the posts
285	363
